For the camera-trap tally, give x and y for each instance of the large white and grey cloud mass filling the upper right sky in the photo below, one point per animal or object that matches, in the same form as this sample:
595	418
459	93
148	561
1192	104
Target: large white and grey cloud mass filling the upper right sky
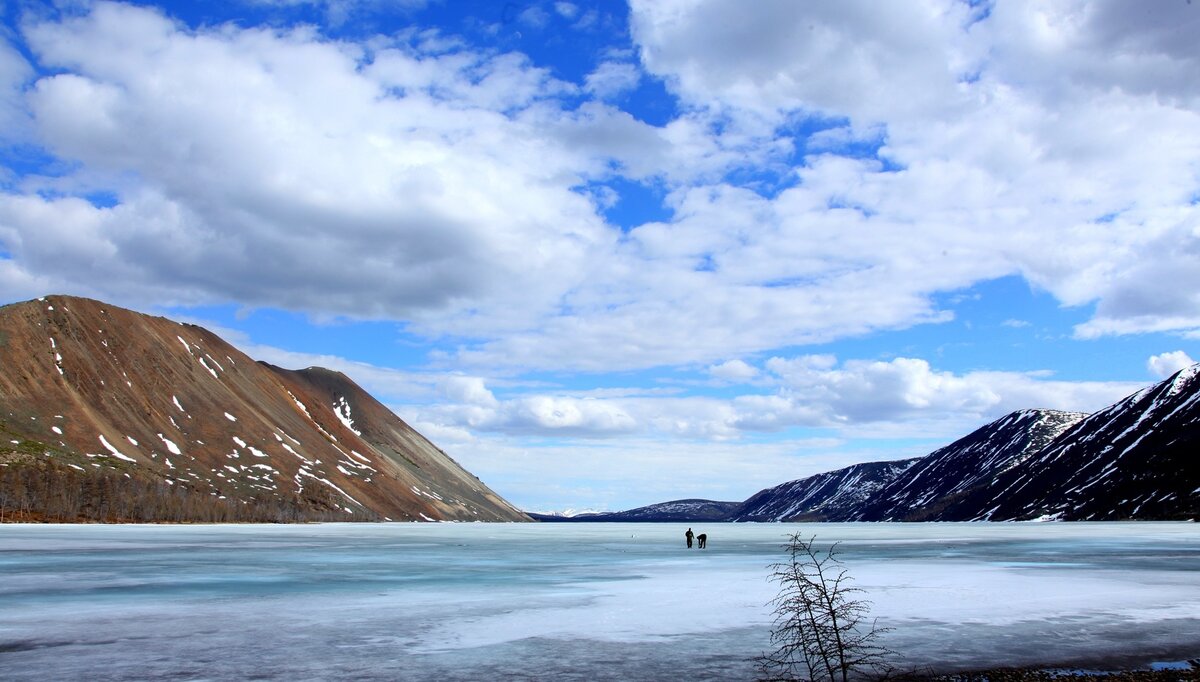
1057	143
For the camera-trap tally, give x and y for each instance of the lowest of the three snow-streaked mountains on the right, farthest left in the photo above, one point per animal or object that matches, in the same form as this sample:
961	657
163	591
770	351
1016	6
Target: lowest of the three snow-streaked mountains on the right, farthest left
831	496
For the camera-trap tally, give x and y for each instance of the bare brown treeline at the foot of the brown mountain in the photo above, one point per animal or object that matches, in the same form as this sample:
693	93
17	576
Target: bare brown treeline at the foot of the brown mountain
52	493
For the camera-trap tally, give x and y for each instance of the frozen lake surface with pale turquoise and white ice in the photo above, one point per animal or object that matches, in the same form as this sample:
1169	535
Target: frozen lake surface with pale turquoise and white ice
569	601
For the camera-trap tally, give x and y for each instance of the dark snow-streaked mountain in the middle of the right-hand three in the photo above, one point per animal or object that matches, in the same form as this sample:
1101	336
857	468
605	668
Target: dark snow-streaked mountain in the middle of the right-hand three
944	476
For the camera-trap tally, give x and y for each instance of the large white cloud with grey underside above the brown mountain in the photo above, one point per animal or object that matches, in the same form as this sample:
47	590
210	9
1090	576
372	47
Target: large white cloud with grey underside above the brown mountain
296	172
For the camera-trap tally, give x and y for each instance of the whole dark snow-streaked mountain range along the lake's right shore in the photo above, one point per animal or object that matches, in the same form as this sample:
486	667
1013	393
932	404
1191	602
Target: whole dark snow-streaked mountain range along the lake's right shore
1136	460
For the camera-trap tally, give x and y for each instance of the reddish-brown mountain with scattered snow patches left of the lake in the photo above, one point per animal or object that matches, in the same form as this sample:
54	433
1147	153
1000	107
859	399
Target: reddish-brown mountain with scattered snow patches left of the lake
142	418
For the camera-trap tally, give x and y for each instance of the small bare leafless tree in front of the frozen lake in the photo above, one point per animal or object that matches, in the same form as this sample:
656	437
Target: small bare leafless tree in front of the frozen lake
820	631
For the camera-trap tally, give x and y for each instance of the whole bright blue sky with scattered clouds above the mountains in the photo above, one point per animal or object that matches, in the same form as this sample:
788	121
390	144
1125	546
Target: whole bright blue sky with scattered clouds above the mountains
608	255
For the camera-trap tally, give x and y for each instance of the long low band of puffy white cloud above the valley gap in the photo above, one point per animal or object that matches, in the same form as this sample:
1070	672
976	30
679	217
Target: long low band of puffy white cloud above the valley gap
855	398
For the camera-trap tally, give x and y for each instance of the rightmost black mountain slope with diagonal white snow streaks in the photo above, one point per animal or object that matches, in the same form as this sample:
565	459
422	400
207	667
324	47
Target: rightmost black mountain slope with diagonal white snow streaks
1137	459
